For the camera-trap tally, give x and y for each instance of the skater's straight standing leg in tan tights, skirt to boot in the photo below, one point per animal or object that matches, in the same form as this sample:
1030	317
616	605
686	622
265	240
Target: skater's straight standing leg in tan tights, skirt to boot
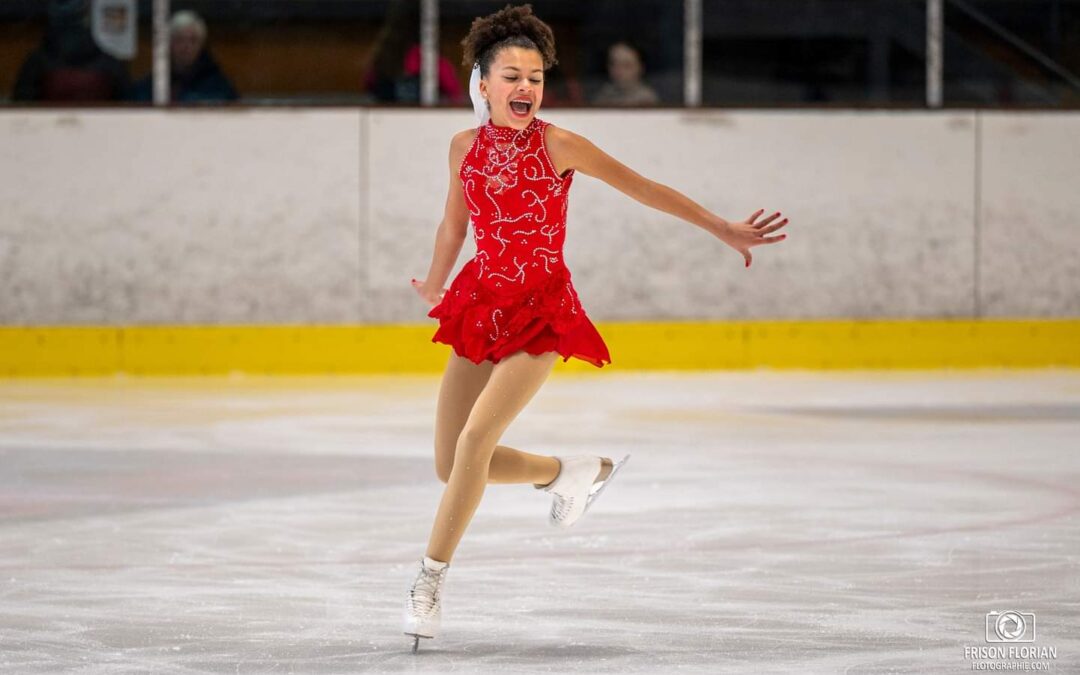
512	384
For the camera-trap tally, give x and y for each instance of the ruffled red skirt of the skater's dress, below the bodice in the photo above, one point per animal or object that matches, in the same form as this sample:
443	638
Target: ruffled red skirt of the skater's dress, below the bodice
482	325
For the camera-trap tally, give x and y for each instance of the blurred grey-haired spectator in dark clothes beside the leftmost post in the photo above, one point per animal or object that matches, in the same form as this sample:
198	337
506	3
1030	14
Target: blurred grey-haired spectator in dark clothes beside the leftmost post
196	75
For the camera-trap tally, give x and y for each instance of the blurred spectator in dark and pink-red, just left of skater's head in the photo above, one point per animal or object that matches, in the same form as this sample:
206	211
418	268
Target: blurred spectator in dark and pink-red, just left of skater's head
393	72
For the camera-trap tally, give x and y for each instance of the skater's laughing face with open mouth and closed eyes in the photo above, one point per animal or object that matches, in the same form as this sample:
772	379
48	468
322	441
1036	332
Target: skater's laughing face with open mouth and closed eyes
515	87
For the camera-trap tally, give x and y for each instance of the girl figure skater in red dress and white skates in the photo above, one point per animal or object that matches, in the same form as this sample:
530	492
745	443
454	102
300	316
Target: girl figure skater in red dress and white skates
512	310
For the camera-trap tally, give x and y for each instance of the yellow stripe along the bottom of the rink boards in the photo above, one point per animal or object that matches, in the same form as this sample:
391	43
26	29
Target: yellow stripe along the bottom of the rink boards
396	348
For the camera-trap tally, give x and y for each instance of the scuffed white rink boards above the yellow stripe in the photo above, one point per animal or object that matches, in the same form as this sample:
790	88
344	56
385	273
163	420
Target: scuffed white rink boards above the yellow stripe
325	215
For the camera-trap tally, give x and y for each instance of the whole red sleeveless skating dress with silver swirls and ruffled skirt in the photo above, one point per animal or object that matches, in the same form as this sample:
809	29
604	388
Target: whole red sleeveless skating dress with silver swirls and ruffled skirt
516	293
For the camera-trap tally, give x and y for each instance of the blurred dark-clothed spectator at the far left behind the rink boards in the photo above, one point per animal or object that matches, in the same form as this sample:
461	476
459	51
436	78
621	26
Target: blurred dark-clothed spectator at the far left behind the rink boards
69	65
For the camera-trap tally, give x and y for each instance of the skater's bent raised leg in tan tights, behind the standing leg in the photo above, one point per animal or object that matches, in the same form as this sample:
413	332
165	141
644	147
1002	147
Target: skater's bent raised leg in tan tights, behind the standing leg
462	385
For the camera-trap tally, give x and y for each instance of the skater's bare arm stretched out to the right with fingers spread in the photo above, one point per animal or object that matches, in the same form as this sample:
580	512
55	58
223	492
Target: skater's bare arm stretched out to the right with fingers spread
576	152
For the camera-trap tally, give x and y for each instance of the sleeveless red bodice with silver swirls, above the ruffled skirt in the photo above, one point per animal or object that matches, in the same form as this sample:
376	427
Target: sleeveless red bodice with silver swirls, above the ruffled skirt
518	207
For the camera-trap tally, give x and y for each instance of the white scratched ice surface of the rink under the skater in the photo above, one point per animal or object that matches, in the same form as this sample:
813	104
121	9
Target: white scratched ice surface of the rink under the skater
767	522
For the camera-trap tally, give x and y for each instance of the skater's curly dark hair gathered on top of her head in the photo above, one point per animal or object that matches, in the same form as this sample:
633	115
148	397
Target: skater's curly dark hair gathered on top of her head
511	26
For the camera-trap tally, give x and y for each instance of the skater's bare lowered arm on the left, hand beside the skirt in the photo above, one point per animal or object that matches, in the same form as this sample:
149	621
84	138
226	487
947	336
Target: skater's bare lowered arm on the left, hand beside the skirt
453	229
